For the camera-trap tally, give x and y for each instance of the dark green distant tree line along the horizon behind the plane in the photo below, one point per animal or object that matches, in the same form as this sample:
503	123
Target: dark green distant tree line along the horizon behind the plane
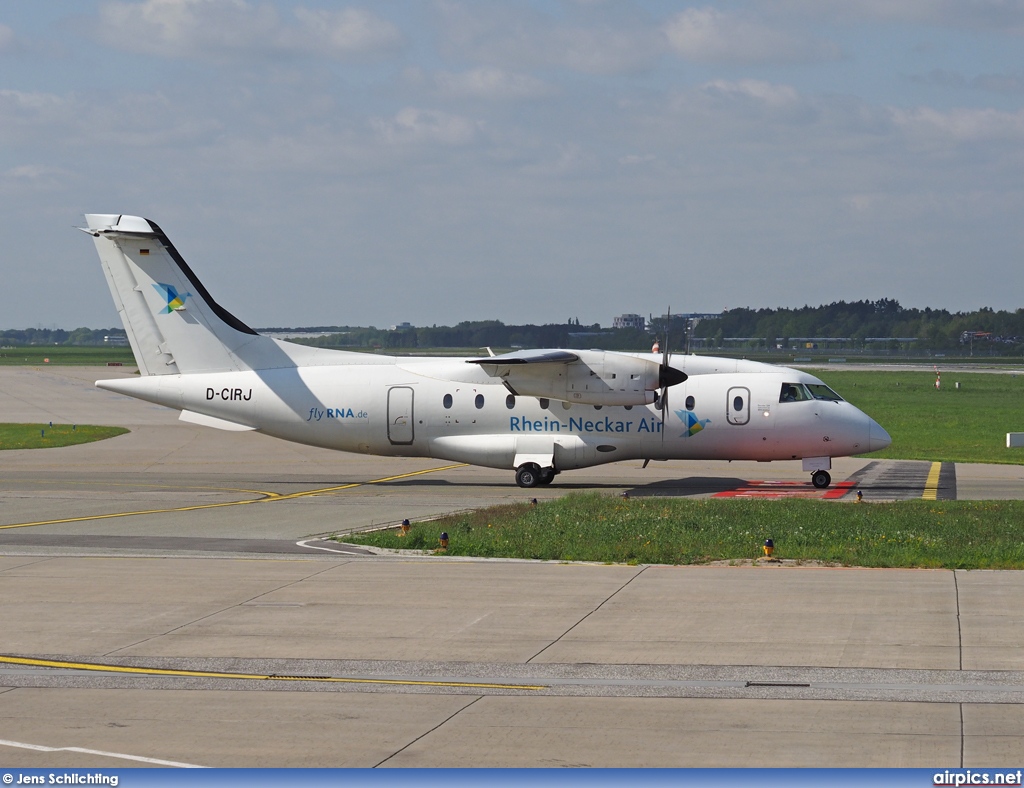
854	326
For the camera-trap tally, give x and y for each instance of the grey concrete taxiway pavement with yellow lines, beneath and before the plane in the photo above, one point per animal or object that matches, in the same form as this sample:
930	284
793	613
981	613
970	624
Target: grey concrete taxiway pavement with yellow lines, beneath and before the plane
166	602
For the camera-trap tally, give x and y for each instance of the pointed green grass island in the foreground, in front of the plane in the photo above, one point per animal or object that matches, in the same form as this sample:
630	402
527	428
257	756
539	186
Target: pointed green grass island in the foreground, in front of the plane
594	528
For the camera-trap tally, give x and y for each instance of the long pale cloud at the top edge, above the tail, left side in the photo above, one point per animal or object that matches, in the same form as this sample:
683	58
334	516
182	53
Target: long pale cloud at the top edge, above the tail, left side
225	29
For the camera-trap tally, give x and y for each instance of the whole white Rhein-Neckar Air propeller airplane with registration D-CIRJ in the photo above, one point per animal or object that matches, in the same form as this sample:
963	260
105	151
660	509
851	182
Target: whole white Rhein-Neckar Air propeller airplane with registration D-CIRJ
539	412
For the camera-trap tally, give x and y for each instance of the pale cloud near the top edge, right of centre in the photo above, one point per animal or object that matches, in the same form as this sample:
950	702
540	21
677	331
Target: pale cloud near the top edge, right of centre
708	35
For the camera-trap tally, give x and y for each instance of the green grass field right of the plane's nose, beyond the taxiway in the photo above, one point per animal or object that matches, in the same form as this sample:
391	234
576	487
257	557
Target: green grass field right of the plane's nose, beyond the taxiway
969	425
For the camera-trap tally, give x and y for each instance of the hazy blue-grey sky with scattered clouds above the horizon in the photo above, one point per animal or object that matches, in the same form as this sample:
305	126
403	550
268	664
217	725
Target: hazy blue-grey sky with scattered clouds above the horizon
435	161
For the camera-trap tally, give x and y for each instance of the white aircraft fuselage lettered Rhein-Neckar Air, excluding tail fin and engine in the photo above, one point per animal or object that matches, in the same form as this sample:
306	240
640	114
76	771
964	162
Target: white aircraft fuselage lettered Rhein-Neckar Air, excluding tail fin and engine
449	410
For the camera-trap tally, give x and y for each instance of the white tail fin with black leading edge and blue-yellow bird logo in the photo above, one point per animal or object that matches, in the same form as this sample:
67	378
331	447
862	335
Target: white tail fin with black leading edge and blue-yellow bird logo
174	324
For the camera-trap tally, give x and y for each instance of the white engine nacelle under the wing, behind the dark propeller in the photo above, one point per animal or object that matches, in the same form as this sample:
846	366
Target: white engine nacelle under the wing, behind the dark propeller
593	378
